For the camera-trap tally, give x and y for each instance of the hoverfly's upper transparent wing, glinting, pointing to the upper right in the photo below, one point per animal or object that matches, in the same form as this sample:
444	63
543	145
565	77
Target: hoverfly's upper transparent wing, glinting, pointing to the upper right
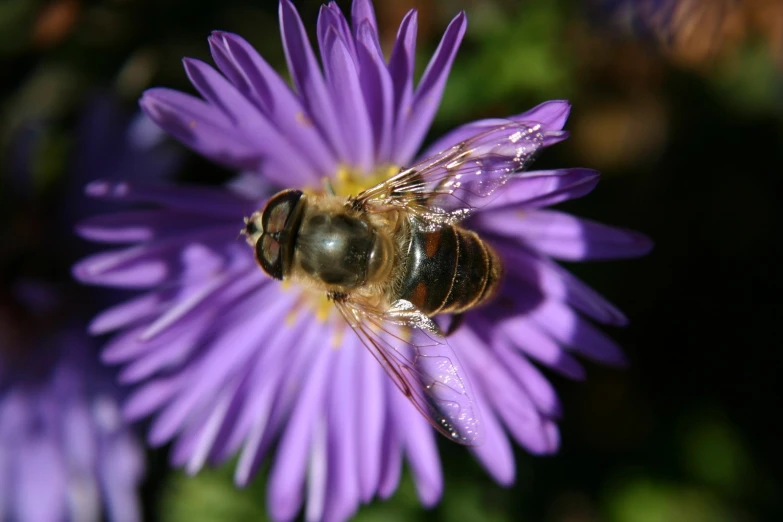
447	187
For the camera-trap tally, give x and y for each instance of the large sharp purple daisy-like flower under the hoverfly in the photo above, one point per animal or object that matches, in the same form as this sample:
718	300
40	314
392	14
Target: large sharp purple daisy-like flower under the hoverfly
228	360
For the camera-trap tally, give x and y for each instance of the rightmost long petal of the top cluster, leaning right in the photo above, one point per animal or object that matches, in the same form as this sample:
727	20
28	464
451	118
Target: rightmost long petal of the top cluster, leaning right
418	117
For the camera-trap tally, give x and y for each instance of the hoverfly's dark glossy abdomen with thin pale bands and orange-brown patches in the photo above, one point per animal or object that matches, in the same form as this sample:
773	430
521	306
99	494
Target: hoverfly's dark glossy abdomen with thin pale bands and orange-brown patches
449	270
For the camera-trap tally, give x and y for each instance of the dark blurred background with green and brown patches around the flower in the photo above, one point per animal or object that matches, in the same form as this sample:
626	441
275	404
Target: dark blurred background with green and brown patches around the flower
684	117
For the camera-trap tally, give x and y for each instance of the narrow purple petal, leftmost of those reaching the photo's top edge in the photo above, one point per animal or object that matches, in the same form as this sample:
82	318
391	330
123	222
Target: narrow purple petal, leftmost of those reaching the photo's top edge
307	77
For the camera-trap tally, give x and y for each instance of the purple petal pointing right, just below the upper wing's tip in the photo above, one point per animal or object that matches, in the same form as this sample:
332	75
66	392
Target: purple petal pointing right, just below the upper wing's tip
542	188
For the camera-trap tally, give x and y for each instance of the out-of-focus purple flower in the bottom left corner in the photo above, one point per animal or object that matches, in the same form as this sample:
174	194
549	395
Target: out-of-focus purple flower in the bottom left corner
65	451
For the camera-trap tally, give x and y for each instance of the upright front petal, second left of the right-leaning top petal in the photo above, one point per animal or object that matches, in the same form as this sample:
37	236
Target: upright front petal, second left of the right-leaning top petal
378	91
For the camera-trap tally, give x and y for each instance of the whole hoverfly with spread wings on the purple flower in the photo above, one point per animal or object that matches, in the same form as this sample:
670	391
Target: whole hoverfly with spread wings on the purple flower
395	255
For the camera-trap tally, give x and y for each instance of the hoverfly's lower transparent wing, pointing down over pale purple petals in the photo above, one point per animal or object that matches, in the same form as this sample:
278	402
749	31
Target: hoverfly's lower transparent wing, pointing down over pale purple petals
409	346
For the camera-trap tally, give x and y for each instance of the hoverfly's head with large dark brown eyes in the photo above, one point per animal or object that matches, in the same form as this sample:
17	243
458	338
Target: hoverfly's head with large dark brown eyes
272	232
